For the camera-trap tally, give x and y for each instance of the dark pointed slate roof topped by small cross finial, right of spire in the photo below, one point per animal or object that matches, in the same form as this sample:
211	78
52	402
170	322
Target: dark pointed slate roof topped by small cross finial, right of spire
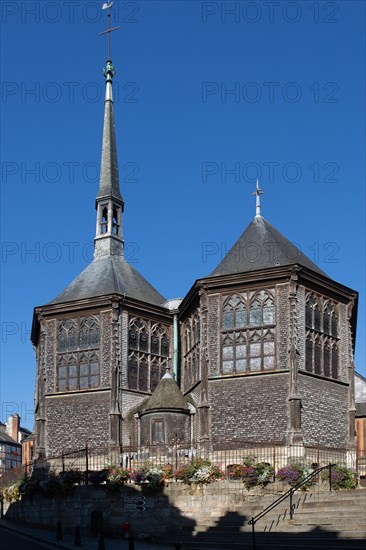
262	246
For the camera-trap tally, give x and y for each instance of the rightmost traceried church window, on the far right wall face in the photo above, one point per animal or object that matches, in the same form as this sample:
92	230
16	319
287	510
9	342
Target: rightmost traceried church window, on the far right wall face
322	342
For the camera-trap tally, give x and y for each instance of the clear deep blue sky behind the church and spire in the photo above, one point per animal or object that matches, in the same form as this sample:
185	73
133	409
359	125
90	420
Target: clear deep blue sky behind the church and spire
208	96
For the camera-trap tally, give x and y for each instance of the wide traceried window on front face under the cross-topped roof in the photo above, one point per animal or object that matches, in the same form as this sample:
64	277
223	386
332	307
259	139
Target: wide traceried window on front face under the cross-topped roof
248	332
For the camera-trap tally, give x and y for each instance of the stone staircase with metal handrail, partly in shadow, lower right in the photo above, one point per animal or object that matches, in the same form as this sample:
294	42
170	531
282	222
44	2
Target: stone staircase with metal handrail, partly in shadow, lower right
321	520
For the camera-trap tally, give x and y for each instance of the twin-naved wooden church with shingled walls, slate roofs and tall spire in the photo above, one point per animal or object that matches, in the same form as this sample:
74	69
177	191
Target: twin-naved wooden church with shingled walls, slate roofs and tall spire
256	349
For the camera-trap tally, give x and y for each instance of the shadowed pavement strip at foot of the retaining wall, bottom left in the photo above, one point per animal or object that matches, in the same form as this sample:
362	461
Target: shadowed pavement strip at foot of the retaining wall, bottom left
48	540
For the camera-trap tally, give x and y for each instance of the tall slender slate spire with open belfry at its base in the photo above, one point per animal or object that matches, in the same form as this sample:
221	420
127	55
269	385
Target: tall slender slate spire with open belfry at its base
109	202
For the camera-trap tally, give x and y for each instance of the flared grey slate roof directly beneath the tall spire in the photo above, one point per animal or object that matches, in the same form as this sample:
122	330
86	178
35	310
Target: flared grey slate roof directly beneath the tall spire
110	275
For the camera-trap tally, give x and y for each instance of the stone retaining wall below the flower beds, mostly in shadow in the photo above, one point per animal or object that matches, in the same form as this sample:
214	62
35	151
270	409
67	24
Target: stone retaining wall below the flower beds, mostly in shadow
149	512
